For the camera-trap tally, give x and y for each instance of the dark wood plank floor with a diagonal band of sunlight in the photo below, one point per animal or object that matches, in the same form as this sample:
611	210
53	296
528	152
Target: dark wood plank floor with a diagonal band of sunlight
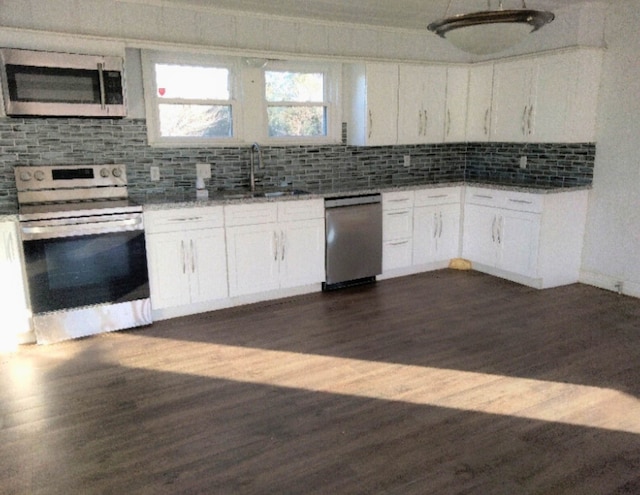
442	383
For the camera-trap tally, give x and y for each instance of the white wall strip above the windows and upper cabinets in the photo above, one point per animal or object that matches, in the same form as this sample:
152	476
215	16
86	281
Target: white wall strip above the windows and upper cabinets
155	22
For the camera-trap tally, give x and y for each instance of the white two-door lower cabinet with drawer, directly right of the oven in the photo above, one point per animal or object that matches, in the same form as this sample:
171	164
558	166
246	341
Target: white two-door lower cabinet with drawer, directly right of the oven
186	256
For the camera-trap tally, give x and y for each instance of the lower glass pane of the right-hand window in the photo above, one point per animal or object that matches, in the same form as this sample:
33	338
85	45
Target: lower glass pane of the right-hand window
297	121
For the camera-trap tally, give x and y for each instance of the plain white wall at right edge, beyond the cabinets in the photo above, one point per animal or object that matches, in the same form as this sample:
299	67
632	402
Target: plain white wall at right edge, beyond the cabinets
612	243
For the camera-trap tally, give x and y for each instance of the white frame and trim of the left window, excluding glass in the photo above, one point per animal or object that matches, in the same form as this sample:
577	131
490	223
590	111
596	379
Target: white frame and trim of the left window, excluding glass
153	101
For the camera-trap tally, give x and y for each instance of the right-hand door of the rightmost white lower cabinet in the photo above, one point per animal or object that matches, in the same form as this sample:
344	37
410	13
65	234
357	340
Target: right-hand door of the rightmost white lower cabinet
518	240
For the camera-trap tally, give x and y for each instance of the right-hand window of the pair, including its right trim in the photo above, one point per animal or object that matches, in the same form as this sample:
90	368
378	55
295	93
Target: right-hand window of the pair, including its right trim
298	103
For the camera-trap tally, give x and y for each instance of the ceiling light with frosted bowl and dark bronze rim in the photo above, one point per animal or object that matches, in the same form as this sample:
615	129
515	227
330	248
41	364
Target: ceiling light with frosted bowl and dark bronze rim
490	31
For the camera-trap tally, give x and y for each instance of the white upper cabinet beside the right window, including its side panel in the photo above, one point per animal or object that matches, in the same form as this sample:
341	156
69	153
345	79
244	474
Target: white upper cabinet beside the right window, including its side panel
374	104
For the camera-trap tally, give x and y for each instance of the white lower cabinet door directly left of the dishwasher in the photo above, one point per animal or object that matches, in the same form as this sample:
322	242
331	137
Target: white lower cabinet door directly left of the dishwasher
302	253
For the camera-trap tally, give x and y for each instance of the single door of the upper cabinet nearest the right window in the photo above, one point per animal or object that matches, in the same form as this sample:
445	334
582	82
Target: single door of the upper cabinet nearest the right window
381	113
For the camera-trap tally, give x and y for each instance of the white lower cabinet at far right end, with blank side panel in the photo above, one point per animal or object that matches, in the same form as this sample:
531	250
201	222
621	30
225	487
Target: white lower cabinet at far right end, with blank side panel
533	239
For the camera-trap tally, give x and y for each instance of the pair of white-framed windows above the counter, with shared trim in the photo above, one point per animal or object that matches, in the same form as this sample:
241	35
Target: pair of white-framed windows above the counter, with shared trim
211	100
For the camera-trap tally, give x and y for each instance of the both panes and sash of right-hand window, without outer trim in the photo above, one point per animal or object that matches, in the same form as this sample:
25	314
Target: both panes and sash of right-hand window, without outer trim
295	104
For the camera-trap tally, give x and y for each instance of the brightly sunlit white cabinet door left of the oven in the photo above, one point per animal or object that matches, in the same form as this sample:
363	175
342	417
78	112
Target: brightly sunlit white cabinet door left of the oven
13	302
